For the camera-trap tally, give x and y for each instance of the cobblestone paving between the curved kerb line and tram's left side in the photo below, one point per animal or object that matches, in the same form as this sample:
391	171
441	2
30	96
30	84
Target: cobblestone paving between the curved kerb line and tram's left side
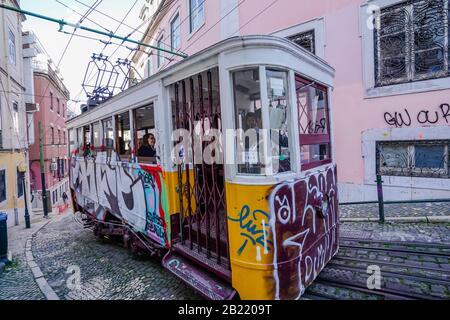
107	271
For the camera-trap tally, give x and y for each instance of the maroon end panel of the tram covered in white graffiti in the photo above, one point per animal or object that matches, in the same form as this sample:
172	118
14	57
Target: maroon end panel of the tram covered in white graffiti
304	237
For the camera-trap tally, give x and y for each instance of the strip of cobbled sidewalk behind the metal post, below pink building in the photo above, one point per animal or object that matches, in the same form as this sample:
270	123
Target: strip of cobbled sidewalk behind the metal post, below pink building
408	212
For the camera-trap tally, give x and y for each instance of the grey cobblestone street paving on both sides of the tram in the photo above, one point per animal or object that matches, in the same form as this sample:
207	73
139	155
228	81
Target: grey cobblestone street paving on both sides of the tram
110	272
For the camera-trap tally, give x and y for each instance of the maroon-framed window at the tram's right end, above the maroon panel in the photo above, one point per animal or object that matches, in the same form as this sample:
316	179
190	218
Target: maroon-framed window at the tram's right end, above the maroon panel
313	123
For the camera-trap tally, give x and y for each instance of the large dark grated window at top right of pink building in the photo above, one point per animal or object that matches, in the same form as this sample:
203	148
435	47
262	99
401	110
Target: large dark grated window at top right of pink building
412	42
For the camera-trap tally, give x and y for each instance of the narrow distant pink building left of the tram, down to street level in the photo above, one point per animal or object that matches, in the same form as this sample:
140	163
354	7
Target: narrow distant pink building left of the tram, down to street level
51	97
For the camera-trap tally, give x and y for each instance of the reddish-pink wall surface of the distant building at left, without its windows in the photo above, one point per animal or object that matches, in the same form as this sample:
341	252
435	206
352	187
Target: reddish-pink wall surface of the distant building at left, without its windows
46	116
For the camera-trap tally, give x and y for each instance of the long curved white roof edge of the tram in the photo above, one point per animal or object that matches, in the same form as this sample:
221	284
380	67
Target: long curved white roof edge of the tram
230	44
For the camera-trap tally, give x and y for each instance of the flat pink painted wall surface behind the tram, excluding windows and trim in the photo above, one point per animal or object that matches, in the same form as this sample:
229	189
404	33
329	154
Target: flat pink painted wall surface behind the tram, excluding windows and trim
352	112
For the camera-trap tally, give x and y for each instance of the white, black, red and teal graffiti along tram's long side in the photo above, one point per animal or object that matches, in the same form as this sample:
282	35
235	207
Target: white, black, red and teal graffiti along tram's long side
132	192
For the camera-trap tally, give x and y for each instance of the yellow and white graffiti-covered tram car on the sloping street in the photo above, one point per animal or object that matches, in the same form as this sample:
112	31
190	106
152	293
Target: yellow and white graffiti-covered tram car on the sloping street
236	226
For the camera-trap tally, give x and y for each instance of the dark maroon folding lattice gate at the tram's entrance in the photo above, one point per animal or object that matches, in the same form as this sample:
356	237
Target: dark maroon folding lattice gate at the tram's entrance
201	177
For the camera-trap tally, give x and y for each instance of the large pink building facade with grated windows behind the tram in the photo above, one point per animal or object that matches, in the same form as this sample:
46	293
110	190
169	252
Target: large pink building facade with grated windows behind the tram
391	100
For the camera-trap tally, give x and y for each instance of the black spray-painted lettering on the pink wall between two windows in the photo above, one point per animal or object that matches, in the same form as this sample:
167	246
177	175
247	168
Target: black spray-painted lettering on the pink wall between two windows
424	117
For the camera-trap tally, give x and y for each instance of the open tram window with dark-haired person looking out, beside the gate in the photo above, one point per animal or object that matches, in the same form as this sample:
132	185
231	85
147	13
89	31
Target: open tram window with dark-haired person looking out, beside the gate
145	138
